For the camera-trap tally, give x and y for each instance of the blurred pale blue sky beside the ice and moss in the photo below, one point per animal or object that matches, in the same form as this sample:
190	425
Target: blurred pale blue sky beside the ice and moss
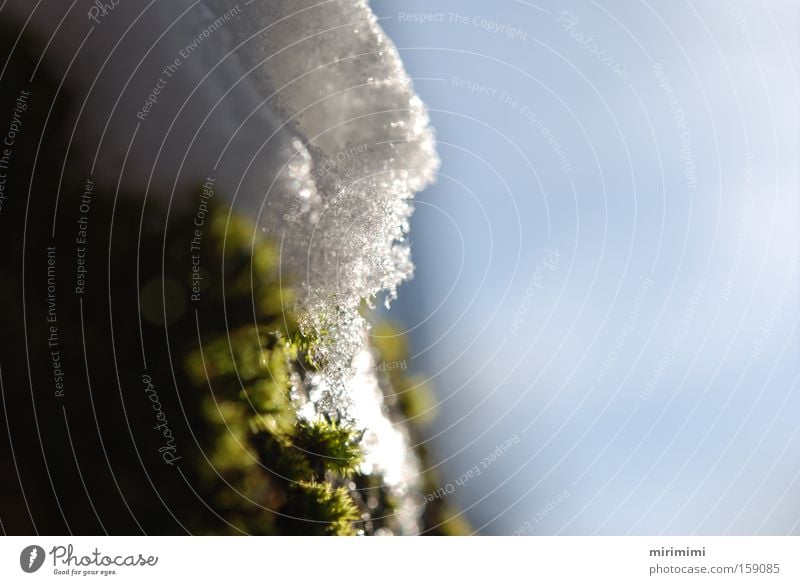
607	267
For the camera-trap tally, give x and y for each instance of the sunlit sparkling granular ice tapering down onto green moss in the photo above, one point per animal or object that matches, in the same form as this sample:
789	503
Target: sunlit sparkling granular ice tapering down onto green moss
340	85
